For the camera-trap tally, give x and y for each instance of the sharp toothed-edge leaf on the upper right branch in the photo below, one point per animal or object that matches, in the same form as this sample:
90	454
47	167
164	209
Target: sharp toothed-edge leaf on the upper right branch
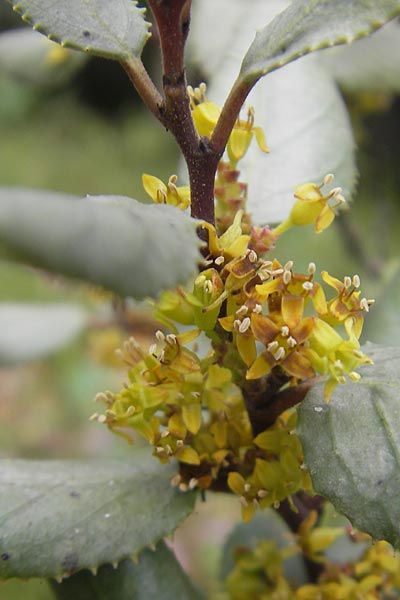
309	25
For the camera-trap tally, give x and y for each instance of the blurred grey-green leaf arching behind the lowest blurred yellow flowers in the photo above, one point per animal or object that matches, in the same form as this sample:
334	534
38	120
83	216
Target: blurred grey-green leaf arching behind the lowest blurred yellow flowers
267	525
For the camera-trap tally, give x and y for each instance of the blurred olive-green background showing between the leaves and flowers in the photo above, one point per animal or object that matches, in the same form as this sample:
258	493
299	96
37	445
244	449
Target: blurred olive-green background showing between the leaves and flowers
92	136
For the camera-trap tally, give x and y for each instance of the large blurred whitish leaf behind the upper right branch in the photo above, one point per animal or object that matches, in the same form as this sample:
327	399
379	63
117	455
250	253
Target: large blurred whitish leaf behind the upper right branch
300	109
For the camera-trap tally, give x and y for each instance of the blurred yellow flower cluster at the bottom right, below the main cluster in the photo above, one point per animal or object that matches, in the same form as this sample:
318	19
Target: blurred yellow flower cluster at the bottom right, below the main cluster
259	574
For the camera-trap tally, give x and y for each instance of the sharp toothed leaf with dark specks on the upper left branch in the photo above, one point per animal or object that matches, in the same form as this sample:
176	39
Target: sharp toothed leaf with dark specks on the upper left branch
115	30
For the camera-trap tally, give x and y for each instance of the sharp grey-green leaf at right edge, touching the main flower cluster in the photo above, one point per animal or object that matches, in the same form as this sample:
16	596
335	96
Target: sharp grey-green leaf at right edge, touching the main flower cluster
352	445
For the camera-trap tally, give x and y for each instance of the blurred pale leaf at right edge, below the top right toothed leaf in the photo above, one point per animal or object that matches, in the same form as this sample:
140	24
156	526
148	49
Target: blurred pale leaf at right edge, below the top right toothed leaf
372	64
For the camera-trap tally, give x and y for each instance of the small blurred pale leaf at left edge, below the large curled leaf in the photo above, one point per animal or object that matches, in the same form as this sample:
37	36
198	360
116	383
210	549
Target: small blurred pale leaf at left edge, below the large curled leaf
29	331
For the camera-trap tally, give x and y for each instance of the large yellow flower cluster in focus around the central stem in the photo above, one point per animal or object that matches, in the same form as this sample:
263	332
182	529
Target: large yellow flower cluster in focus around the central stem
266	325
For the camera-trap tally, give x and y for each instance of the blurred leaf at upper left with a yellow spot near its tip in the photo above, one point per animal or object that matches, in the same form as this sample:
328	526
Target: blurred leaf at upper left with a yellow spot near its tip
29	57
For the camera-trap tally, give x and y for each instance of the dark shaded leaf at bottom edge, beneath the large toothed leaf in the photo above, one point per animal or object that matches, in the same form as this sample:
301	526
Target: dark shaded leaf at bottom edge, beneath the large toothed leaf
157	575
